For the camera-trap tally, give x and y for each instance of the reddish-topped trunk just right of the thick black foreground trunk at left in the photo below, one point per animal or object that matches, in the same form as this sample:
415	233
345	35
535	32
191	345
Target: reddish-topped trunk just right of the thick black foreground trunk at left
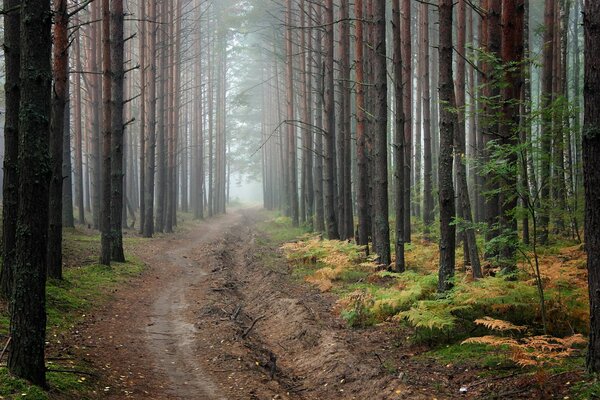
60	72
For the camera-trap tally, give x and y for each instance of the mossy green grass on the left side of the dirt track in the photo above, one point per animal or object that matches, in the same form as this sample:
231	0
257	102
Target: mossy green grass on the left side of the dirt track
86	285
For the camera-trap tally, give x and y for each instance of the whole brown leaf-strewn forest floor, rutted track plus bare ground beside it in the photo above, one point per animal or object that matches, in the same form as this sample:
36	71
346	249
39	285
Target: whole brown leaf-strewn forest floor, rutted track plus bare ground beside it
218	313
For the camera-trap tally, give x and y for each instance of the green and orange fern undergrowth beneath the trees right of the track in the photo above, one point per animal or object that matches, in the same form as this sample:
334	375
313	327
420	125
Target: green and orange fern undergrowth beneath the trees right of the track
492	322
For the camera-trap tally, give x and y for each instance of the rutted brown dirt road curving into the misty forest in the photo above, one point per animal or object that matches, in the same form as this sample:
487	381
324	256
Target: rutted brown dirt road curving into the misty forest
209	321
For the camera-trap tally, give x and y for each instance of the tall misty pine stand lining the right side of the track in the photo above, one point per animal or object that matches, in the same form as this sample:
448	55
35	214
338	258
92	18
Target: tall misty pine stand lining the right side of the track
378	107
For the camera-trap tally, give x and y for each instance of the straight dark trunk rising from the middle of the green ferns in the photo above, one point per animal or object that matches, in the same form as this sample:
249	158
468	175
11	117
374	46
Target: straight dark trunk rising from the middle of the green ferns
447	127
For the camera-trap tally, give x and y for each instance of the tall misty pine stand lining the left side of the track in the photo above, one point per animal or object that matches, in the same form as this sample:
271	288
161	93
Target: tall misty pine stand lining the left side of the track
116	118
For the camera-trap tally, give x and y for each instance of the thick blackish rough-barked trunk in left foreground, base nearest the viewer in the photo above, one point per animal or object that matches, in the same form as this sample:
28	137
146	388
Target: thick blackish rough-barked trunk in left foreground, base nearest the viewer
28	316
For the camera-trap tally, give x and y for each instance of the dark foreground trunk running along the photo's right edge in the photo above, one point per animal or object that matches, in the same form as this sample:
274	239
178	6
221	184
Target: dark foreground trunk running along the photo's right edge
591	172
